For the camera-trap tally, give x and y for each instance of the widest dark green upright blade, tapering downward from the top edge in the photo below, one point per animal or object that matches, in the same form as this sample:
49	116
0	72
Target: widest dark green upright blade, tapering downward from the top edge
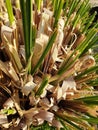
26	10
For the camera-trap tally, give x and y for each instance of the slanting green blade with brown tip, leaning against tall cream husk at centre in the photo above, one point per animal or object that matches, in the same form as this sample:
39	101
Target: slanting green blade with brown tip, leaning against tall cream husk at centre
48	47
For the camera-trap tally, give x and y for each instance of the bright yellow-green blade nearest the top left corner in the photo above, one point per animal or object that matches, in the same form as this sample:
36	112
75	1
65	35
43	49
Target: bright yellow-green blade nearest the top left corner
9	11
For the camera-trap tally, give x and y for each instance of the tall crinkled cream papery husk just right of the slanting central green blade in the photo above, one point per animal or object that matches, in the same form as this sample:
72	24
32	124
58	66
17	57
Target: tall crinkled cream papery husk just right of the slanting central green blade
52	57
